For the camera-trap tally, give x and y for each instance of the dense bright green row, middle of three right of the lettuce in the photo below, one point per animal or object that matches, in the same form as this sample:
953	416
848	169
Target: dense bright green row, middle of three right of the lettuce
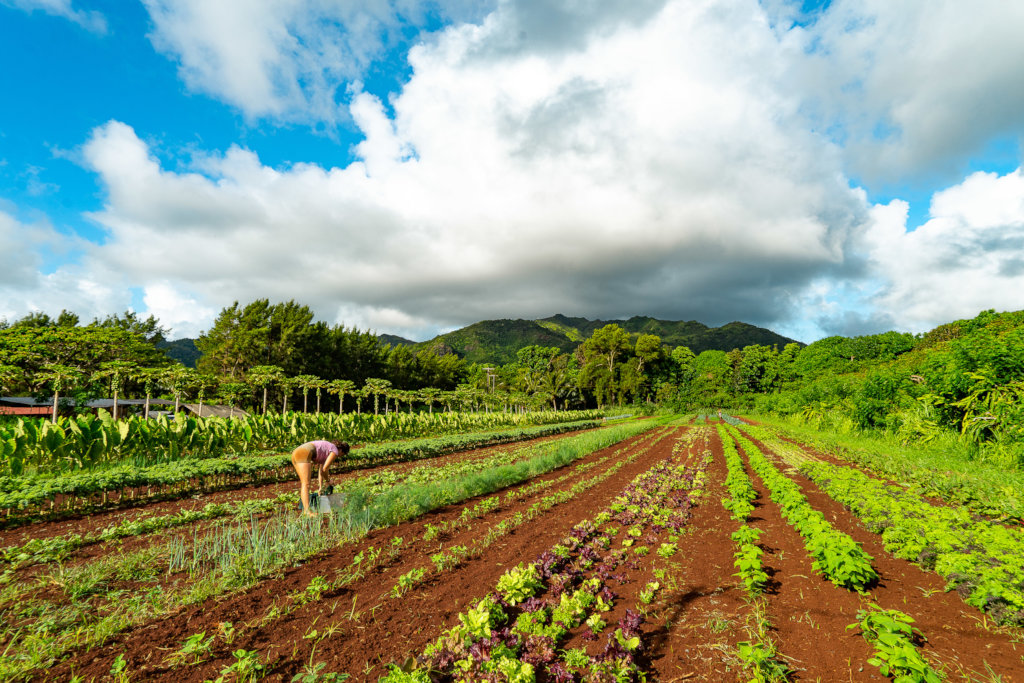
837	558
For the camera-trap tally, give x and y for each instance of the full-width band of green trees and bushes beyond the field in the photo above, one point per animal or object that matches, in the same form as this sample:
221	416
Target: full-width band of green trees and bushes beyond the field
965	378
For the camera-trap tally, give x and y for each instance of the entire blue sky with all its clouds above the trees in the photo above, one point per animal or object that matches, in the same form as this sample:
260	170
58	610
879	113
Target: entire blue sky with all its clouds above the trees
411	167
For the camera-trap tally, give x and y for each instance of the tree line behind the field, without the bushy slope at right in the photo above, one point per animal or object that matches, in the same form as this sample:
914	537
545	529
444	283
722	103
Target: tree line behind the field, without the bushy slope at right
266	356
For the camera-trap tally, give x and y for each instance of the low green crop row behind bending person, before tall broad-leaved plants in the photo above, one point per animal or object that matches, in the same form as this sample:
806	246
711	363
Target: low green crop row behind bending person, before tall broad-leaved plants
25	499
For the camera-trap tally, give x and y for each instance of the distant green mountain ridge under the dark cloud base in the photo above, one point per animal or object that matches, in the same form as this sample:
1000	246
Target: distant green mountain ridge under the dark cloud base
498	341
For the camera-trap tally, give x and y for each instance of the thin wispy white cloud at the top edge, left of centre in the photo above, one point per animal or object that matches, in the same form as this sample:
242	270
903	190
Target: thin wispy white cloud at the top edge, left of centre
284	59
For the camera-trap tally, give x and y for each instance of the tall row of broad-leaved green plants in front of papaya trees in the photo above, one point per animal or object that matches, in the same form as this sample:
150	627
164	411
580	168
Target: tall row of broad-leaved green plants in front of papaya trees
32	446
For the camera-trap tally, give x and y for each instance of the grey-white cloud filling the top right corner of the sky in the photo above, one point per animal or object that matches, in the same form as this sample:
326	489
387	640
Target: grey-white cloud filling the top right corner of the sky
918	88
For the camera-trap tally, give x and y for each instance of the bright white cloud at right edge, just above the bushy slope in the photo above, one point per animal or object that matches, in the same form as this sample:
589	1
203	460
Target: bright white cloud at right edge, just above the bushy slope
968	258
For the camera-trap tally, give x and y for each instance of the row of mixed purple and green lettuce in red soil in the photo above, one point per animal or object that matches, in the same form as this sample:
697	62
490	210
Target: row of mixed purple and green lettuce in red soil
521	630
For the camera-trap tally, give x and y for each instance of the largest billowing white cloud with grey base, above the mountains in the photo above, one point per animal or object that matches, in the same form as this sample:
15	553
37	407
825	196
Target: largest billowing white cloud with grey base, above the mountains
654	165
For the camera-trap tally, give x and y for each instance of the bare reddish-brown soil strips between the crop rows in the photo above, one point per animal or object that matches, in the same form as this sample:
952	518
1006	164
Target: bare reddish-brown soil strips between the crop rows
692	630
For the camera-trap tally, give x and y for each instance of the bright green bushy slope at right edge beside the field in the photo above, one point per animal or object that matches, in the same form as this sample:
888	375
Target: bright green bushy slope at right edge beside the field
965	379
